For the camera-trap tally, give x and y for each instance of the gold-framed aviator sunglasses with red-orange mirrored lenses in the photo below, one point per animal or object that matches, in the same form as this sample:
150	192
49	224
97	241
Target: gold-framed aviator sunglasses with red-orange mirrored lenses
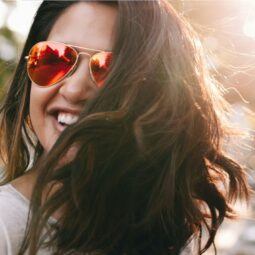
50	62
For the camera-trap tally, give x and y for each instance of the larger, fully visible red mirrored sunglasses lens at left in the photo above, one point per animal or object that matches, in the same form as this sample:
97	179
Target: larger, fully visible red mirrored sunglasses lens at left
50	62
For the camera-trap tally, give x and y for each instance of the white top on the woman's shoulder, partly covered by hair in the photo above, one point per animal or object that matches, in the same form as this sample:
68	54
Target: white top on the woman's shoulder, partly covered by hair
13	218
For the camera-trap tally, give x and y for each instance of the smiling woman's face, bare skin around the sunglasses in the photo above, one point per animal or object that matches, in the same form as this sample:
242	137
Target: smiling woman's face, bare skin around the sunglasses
85	24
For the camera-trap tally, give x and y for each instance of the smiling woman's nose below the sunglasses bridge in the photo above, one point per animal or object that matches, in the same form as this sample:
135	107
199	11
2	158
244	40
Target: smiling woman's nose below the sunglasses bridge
78	86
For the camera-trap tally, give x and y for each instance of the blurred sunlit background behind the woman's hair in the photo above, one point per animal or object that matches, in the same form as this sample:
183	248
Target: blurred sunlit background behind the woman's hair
227	32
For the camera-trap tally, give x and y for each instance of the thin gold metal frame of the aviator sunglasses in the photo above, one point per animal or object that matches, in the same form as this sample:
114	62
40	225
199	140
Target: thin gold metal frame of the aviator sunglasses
75	48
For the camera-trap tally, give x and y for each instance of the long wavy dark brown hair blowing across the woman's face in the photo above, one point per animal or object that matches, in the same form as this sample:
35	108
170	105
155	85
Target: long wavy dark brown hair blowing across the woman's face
150	162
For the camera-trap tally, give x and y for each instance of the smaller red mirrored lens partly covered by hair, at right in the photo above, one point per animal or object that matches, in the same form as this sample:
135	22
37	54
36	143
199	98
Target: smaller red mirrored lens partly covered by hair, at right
99	66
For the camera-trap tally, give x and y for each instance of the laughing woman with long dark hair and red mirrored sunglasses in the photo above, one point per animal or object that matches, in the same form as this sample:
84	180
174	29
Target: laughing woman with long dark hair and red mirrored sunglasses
125	126
